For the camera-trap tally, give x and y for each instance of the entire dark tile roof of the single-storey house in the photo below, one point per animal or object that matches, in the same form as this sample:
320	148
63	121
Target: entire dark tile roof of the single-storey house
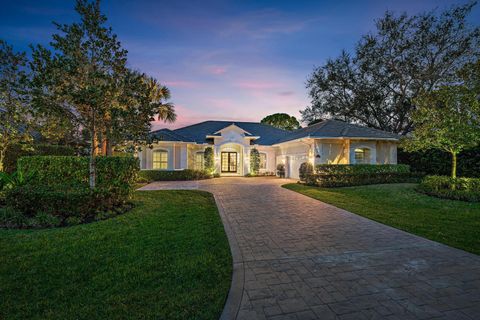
270	135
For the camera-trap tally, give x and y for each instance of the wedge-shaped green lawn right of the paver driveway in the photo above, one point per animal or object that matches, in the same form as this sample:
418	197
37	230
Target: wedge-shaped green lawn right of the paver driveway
454	223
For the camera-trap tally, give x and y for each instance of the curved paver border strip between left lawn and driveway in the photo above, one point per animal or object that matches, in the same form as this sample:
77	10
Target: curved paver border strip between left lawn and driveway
235	294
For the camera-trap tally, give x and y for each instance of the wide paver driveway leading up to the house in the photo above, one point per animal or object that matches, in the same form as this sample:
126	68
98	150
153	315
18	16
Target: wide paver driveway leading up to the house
304	259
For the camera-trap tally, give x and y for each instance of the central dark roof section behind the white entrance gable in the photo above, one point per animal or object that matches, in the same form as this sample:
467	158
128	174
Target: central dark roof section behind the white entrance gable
198	132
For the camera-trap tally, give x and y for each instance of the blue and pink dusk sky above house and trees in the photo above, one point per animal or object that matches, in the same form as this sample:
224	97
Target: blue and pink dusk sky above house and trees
222	60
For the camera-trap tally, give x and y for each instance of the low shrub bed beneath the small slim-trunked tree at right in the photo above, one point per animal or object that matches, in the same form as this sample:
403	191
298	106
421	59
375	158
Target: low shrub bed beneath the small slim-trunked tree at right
465	189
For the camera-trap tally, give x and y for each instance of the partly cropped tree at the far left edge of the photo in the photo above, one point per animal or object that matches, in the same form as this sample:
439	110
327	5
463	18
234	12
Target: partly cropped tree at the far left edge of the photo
14	100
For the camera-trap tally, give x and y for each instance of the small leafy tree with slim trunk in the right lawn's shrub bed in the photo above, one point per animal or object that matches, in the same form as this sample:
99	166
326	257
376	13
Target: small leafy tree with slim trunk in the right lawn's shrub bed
448	118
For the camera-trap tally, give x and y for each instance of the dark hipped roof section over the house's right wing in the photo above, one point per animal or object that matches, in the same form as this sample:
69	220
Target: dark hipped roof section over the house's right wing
338	129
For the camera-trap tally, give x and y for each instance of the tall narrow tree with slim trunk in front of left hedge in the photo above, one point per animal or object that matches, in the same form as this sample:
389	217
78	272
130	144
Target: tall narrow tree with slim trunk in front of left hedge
81	81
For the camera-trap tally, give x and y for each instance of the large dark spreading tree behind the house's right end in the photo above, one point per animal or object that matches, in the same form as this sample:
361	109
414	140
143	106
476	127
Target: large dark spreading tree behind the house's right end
377	85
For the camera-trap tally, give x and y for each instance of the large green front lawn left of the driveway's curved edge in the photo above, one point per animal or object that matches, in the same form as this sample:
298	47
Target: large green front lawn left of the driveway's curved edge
166	259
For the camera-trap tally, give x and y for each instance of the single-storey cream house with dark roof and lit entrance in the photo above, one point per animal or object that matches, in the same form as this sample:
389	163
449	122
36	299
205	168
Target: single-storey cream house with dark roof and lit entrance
326	142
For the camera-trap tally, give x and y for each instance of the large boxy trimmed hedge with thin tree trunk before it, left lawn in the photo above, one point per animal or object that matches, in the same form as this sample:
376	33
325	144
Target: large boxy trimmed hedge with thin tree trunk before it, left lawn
59	186
